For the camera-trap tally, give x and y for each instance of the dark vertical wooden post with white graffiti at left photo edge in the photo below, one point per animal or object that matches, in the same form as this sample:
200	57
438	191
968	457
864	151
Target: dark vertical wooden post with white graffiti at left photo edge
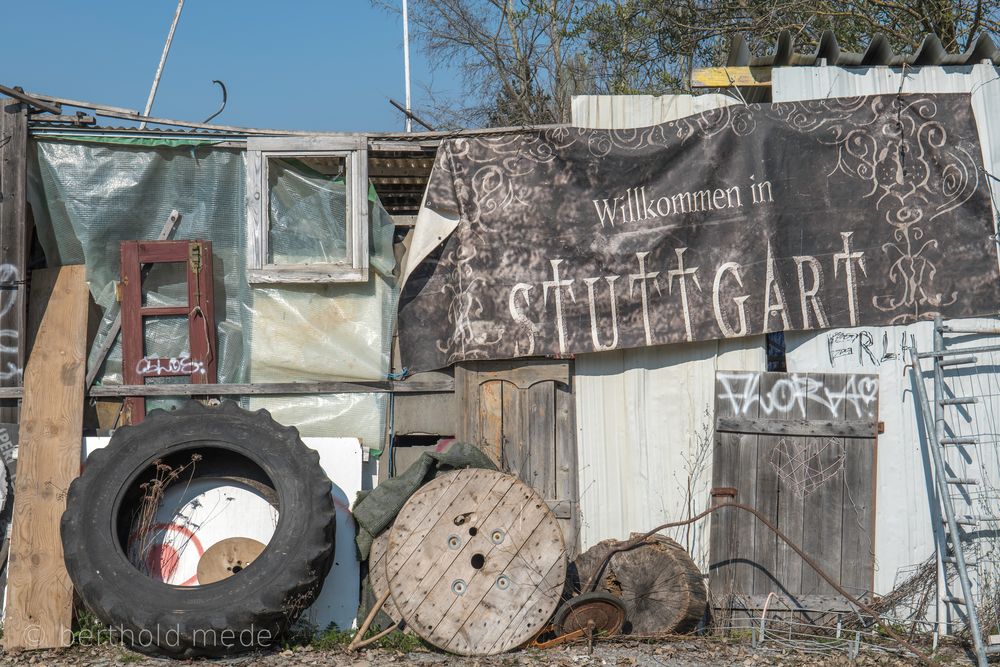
13	247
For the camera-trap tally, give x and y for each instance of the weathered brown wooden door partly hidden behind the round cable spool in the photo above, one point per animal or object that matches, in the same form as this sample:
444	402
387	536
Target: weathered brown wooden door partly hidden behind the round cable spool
522	414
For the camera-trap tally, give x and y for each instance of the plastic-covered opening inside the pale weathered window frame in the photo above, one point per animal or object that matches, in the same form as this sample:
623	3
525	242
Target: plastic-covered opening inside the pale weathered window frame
307	201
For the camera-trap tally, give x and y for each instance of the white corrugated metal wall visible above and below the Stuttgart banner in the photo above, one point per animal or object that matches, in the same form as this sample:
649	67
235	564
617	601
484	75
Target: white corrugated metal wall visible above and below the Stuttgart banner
643	413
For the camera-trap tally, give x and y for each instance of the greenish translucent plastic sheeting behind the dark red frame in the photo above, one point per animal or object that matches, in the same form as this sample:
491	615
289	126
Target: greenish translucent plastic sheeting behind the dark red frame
86	198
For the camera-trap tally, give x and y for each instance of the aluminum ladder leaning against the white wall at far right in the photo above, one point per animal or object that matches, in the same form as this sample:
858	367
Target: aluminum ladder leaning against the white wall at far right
934	416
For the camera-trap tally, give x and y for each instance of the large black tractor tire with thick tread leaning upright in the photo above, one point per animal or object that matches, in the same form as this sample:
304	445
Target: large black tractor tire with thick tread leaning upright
246	611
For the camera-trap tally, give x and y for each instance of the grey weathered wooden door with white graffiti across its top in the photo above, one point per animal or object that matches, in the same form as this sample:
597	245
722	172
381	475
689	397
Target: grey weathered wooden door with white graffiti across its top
801	449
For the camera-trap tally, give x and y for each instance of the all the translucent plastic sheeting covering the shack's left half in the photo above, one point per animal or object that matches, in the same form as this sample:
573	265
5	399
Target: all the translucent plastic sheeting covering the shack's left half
89	196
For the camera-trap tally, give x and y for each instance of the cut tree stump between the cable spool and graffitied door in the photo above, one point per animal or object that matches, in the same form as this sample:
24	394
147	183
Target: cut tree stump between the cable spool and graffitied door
660	585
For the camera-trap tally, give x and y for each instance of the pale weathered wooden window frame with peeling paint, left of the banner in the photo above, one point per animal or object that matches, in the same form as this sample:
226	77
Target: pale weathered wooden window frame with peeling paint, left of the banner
354	150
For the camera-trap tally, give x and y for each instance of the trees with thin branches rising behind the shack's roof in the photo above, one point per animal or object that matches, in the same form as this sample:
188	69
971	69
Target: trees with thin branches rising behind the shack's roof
521	61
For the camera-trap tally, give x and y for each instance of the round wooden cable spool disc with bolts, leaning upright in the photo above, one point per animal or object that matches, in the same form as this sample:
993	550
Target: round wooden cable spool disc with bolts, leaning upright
476	562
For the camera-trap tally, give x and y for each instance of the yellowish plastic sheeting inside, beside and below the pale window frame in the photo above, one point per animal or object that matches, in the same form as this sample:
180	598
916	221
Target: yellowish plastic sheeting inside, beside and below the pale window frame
339	331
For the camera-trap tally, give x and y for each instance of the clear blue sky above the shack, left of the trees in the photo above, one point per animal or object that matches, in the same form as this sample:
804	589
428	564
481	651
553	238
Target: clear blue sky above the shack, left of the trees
305	64
